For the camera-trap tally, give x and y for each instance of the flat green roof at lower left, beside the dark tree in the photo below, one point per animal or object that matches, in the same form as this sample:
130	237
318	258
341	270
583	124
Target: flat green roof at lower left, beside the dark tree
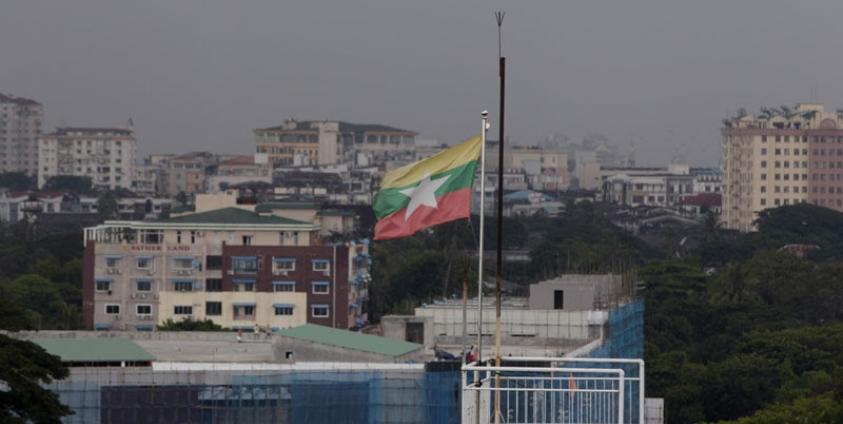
95	350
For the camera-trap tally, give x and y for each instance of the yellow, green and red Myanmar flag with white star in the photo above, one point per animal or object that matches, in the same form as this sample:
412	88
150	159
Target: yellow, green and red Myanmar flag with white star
426	193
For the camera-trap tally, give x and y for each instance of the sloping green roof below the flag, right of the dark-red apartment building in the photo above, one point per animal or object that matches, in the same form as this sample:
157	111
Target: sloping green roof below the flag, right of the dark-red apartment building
349	340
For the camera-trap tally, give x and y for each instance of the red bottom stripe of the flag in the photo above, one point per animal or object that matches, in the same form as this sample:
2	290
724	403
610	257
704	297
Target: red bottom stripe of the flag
451	206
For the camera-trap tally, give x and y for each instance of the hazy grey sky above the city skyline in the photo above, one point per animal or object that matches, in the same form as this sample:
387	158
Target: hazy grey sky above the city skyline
201	74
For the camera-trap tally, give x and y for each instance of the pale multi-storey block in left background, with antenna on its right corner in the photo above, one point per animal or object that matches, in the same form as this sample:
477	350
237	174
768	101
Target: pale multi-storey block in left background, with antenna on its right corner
106	155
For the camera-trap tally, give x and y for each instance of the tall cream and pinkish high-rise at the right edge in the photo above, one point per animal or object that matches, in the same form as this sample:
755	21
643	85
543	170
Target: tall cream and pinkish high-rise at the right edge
783	156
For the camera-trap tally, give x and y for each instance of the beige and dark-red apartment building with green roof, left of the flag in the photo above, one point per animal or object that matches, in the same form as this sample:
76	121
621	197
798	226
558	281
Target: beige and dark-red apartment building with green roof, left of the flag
235	267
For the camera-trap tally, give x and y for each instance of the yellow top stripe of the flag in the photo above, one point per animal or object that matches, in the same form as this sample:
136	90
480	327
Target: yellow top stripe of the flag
445	160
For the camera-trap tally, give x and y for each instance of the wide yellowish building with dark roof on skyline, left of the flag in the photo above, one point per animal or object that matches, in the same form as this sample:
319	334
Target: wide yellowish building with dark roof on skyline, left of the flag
301	143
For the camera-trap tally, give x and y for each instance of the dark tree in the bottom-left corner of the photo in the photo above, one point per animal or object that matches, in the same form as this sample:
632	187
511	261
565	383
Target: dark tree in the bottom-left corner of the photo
26	367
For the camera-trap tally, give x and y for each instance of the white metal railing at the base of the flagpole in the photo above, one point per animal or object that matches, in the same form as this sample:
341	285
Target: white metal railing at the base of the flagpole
554	390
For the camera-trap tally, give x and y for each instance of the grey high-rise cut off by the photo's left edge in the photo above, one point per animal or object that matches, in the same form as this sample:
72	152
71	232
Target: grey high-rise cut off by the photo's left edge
20	127
